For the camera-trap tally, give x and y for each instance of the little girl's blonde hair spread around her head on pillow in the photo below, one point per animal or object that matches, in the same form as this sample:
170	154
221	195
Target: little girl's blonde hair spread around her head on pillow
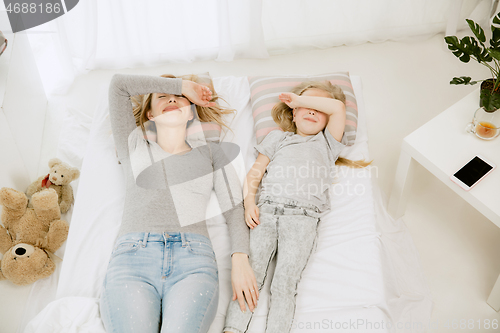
283	114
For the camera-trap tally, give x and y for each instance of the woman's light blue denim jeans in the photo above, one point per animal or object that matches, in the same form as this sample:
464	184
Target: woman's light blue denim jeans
160	282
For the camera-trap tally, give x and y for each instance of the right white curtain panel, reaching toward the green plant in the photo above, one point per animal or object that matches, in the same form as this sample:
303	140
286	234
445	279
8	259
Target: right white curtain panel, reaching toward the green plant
296	25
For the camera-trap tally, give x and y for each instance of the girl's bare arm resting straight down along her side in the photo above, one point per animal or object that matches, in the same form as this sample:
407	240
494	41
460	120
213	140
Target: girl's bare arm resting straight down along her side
250	187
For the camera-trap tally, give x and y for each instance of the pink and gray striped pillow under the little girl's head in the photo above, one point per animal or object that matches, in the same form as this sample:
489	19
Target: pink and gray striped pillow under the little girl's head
266	89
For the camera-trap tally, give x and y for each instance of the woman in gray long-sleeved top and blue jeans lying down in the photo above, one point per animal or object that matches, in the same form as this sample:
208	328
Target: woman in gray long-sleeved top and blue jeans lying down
162	275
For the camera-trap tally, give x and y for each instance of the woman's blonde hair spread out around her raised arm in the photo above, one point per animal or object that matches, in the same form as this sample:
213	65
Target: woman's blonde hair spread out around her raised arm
142	104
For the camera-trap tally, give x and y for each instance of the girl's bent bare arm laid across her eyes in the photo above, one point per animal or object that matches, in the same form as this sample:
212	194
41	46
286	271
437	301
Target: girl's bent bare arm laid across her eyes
334	108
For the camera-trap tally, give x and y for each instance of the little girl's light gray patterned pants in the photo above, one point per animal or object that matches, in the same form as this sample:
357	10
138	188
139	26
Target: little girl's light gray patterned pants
293	227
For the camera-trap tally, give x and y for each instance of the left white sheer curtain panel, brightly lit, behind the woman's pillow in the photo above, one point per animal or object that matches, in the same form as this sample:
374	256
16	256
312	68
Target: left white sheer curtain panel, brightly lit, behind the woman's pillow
106	34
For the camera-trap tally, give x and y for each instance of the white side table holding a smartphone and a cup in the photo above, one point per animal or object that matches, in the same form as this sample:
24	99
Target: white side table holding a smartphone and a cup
442	146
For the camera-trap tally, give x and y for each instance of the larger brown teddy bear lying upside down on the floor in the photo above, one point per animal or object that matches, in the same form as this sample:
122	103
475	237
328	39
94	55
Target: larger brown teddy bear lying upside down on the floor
29	236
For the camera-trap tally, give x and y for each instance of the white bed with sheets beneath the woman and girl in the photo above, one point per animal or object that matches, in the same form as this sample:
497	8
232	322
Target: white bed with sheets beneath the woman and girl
365	271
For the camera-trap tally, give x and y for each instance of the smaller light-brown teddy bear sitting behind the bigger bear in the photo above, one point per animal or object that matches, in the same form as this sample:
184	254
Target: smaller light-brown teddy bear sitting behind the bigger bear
59	177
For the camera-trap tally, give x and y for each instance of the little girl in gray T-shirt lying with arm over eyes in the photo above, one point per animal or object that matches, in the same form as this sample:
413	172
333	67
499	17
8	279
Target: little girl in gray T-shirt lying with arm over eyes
295	167
